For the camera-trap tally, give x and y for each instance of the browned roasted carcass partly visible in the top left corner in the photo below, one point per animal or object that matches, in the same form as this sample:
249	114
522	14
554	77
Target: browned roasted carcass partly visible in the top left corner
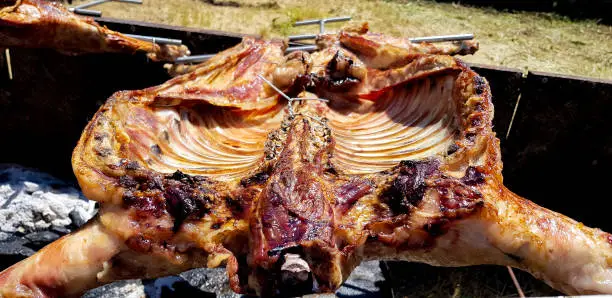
48	24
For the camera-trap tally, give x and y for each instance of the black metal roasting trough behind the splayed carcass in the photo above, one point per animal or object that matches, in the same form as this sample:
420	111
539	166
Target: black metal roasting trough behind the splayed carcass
554	130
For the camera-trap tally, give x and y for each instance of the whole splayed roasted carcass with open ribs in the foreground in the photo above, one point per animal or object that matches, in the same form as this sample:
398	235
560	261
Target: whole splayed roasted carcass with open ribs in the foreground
214	167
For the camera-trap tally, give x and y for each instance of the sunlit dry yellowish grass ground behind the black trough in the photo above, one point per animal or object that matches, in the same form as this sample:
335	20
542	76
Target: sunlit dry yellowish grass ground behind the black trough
529	41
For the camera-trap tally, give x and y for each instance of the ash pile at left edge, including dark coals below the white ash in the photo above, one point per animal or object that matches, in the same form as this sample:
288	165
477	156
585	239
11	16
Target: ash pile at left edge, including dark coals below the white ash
36	209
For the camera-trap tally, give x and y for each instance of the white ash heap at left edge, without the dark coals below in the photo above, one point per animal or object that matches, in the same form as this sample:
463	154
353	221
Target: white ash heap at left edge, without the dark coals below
32	201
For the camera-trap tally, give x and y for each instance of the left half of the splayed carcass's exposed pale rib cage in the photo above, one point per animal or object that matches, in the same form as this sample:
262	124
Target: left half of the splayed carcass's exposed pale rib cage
201	140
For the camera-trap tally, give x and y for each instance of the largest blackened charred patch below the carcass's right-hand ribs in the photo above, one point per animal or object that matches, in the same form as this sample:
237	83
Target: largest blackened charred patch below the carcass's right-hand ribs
408	188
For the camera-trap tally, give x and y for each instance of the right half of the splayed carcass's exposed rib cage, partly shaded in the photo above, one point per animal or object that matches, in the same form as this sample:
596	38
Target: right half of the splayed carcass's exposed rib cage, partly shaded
413	122
